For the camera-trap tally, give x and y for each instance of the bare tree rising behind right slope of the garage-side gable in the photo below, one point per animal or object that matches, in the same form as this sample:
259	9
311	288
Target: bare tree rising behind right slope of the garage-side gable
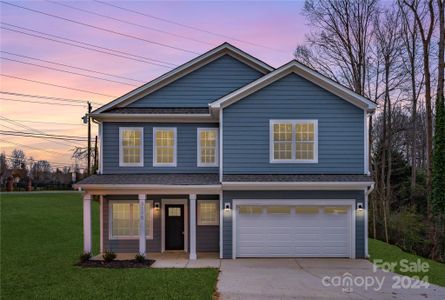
340	44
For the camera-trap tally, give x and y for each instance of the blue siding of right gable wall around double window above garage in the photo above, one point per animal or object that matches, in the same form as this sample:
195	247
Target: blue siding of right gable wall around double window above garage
246	129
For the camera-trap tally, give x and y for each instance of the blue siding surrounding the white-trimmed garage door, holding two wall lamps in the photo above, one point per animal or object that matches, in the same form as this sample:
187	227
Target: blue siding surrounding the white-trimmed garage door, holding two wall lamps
229	196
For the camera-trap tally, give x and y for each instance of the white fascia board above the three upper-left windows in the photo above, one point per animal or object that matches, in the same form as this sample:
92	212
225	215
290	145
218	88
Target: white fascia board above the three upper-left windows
207	118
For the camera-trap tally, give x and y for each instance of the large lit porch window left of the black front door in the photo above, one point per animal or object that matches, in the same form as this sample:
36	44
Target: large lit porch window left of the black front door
124	220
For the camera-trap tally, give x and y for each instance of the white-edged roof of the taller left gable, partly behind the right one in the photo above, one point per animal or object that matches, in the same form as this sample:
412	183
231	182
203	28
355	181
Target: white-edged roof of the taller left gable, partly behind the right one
192	65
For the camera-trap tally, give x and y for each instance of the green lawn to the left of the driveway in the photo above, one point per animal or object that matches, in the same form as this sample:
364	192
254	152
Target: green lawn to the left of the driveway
41	239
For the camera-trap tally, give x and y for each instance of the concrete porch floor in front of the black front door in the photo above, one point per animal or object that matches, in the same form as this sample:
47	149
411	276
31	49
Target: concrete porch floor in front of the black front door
175	259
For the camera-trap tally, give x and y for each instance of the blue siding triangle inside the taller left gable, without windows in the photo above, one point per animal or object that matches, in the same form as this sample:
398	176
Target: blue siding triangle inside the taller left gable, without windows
203	85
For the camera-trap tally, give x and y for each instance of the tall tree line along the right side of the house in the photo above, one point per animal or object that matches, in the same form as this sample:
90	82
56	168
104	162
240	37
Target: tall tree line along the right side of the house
393	54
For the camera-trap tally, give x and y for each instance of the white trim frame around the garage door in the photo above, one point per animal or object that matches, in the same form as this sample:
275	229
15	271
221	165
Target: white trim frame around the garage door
312	202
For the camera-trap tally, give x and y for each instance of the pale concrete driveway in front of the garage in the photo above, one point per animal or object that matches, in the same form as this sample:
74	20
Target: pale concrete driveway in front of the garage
316	279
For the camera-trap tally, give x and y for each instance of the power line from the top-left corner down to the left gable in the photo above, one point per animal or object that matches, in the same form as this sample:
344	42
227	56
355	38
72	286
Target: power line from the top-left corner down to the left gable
101	28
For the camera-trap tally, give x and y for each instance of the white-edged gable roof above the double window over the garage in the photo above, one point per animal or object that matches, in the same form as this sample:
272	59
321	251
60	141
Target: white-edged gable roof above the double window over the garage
303	71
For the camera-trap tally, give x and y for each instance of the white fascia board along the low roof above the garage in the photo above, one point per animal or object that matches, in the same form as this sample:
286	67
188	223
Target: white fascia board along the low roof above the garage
296	185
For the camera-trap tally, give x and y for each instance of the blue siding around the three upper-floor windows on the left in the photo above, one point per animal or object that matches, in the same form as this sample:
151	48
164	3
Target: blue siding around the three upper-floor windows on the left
186	149
